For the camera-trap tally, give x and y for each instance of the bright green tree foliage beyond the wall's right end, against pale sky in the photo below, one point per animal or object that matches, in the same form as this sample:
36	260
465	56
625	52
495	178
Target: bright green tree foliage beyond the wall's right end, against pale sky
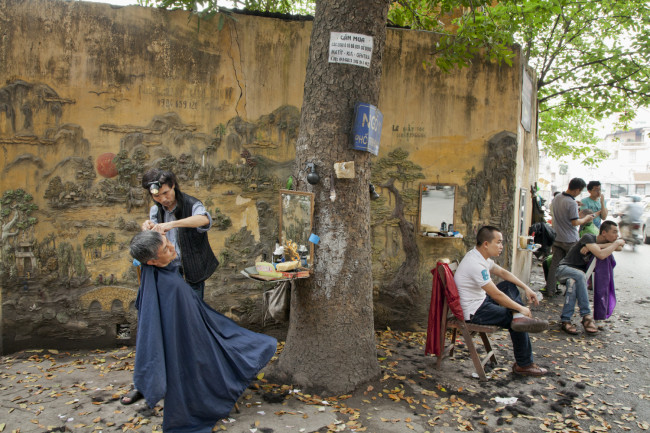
591	62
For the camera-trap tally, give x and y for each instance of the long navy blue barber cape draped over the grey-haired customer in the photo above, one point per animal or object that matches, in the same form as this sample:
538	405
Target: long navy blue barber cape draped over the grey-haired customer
194	357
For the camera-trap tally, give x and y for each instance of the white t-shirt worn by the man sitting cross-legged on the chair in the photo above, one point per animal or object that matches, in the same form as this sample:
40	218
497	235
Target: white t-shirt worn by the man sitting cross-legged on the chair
473	273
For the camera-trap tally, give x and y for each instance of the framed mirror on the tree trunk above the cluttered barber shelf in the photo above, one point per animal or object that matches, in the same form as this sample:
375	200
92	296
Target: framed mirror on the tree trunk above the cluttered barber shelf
296	219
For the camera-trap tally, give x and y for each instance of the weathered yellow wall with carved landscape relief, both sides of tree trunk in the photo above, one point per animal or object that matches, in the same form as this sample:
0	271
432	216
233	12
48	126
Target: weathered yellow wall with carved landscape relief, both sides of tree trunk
89	110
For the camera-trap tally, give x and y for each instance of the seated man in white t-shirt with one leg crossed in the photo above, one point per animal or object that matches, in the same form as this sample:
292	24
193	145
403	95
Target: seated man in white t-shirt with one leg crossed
485	303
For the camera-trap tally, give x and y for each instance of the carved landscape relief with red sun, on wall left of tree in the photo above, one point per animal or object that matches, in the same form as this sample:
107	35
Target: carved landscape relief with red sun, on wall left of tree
92	205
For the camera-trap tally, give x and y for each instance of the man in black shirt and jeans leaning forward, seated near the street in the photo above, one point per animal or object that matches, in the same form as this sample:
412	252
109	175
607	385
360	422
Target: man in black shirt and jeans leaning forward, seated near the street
572	269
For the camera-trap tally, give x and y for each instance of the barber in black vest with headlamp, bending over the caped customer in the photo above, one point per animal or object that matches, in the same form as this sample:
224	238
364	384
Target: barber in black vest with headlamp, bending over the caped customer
185	222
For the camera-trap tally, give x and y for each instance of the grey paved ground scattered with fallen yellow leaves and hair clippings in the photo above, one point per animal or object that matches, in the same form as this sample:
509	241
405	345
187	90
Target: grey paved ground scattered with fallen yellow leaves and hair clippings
597	384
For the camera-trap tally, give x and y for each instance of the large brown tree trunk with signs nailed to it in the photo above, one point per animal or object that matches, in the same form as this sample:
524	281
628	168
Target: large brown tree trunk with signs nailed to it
330	344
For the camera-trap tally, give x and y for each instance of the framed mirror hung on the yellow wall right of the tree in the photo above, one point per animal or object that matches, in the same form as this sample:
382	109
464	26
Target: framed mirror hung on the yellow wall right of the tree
436	208
